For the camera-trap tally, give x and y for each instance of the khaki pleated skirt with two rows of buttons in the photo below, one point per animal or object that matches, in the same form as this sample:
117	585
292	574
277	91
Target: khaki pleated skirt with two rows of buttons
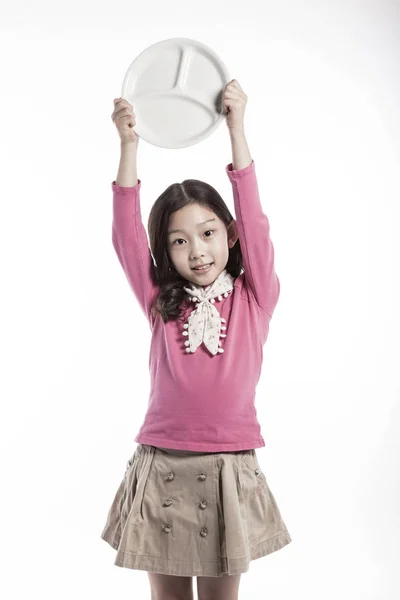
185	513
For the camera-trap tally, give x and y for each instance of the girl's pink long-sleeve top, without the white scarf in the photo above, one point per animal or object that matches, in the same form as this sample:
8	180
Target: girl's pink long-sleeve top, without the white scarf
199	401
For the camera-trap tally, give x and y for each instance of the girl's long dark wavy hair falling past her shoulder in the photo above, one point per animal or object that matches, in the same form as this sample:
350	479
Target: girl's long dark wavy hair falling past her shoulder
170	303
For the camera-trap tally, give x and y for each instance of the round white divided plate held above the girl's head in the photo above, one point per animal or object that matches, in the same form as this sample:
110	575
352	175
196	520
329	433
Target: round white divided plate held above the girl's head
175	87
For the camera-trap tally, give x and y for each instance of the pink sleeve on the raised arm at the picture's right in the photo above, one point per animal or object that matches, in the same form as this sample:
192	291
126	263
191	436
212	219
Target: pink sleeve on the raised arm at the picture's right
255	242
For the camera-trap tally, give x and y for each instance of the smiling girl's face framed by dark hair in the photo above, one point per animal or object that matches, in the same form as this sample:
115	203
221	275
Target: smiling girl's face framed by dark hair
197	236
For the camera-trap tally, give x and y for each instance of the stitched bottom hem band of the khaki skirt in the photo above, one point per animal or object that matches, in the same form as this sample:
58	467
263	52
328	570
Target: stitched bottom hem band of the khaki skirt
216	568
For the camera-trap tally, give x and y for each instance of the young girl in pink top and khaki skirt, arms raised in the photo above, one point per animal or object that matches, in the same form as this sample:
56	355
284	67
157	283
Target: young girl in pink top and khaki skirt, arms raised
193	500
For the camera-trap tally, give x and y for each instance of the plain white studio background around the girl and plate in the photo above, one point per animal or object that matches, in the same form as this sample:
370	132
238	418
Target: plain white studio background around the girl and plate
322	122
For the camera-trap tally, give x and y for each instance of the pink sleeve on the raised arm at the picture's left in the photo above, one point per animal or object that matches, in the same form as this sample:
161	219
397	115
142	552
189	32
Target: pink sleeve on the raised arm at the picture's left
131	244
